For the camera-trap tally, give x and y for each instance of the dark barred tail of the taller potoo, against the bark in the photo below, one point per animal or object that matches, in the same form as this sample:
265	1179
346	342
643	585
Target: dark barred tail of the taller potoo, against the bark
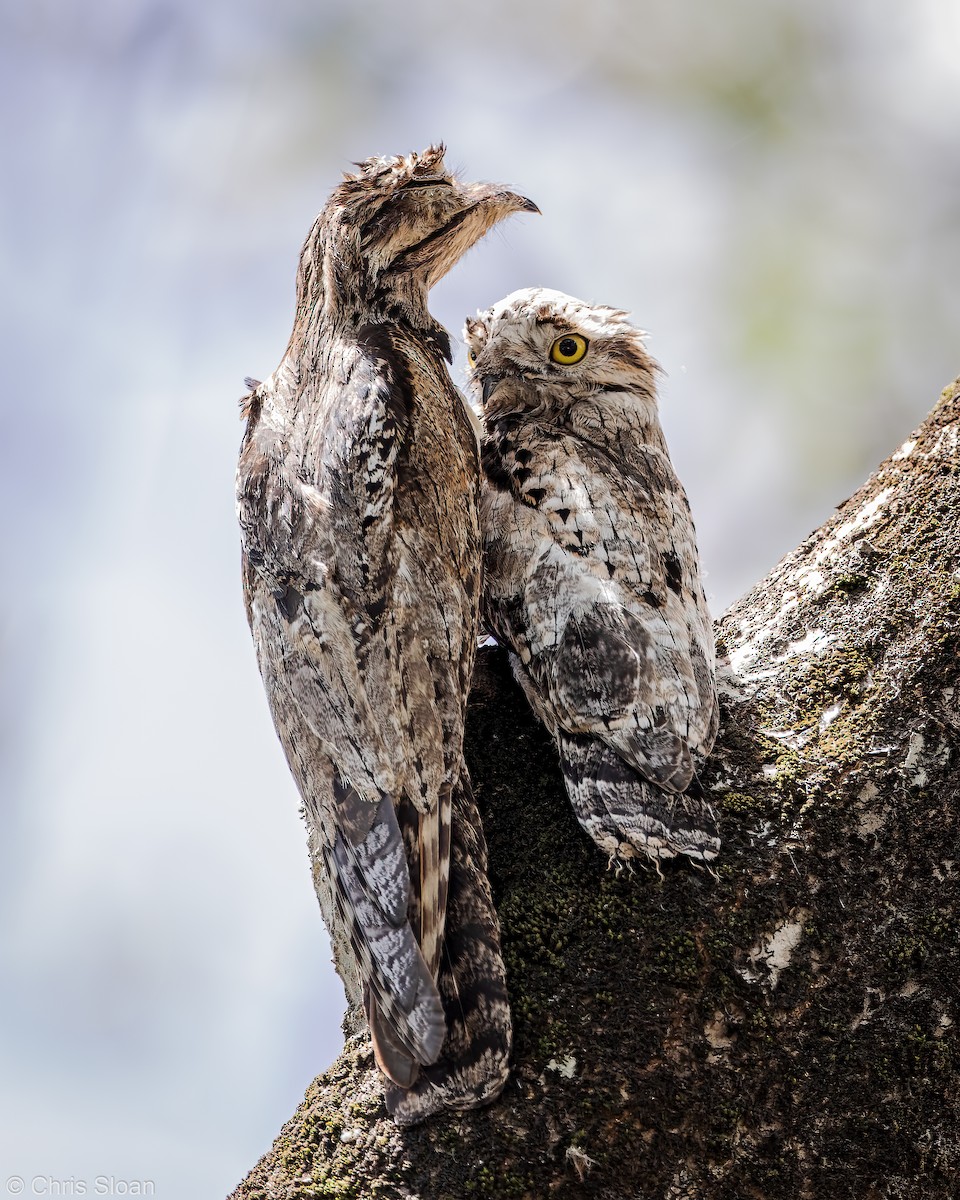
473	1065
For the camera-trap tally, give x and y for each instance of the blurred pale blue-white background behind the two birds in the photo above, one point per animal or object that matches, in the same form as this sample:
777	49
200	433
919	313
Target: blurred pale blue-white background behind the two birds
771	188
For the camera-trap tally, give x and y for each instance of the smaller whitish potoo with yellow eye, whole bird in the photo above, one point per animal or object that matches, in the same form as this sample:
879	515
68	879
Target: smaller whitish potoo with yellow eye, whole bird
592	575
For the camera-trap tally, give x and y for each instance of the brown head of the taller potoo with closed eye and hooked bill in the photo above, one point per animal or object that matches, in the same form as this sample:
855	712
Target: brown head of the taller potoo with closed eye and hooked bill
397	226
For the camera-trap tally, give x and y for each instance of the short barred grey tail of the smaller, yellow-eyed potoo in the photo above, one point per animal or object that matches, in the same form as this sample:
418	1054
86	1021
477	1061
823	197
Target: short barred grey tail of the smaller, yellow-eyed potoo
626	814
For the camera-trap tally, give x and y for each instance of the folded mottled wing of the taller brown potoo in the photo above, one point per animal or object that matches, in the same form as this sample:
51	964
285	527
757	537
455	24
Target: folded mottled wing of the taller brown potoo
322	561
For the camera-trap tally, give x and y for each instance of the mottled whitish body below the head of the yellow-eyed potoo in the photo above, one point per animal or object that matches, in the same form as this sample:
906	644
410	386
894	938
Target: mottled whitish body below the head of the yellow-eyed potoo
586	547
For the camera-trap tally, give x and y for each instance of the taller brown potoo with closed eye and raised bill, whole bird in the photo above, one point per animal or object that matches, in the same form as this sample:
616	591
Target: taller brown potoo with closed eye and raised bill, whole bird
358	494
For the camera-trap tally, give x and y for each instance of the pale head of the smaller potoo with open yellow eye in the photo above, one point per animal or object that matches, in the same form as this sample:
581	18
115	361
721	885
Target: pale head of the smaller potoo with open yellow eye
542	349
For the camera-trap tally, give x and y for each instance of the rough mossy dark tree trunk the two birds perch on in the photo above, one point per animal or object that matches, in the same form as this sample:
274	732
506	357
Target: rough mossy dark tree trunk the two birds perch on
788	1029
